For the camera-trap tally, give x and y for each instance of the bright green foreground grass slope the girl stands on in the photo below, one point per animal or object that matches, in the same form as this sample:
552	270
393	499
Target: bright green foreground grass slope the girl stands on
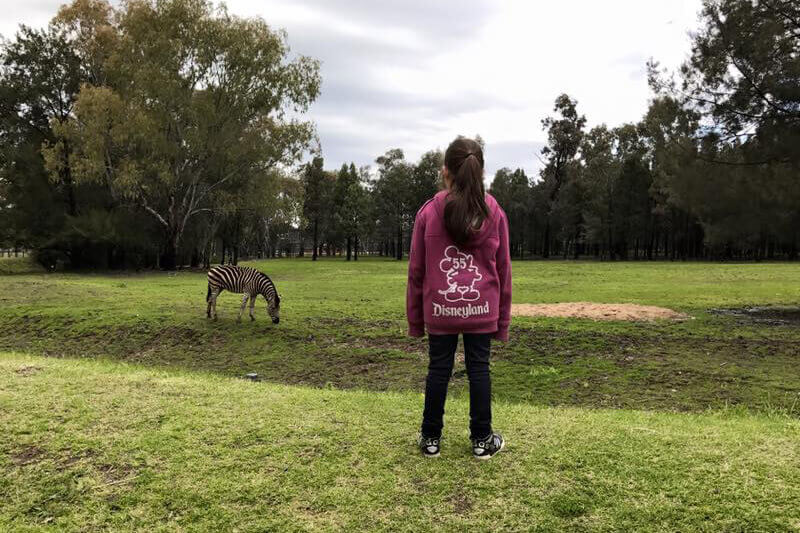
91	445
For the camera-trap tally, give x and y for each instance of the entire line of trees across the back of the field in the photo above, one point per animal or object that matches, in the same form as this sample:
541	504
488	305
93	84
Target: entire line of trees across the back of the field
159	134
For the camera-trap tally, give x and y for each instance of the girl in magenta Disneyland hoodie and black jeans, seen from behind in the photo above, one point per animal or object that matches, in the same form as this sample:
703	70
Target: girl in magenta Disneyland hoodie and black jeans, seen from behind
459	281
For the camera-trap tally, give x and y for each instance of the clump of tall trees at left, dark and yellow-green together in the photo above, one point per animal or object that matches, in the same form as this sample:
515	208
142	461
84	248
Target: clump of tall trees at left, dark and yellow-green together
150	134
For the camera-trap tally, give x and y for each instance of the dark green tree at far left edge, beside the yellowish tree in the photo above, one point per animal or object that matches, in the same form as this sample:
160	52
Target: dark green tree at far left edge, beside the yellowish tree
40	75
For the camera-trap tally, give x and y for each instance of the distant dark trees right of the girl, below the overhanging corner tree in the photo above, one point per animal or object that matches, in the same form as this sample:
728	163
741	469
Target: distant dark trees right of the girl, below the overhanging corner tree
650	190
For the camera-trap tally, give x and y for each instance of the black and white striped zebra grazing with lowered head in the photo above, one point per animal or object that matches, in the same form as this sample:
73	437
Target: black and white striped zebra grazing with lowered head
245	280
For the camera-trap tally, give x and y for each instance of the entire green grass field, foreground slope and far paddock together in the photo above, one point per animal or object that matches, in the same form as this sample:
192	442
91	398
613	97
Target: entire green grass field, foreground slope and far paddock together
133	421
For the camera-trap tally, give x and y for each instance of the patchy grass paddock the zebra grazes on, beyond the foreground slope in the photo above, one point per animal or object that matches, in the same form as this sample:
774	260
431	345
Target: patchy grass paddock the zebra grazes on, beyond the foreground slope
343	325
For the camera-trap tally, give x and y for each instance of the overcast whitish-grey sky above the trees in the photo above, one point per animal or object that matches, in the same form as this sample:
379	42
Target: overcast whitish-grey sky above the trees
413	74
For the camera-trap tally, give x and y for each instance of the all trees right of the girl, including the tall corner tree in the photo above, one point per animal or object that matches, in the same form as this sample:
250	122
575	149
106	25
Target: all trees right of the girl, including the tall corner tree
711	171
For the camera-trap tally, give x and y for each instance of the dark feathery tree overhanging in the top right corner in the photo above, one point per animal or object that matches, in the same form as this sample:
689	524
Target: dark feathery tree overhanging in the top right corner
743	75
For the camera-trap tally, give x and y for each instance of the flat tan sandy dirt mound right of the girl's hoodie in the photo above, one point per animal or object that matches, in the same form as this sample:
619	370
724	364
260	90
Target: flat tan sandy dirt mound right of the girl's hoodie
595	311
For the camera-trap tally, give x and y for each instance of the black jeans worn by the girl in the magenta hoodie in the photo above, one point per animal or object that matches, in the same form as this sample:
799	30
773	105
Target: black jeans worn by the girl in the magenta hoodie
442	350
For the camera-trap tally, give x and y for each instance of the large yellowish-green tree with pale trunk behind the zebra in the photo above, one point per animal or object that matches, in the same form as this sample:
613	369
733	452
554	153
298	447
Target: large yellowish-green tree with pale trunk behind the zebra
195	102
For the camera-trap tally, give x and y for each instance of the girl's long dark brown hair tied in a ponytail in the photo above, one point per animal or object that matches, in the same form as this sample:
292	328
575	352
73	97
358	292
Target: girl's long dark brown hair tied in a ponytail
466	207
